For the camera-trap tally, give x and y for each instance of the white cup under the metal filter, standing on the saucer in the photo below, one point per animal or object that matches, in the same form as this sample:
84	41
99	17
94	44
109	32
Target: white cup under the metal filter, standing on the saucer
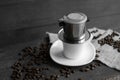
76	51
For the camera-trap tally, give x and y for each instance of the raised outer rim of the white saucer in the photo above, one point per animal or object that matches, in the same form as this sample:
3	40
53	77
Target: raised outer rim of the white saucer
58	62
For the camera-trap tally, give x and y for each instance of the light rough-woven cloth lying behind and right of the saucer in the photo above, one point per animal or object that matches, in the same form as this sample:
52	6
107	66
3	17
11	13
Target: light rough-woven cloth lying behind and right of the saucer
106	52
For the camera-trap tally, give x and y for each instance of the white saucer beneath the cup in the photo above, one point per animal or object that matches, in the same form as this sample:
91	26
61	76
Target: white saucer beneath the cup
56	53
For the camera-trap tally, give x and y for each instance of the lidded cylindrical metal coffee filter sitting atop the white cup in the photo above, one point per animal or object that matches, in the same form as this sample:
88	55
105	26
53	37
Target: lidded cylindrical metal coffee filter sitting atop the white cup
74	28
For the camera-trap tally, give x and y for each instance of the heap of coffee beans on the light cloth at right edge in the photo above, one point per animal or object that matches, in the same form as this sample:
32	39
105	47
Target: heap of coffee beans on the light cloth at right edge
110	41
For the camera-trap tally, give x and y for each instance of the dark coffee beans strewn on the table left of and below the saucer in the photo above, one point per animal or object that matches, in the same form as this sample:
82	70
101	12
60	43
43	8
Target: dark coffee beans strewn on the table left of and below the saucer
33	64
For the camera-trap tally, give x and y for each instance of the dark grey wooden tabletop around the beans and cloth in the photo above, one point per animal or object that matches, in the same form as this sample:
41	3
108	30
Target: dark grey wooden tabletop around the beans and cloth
24	23
